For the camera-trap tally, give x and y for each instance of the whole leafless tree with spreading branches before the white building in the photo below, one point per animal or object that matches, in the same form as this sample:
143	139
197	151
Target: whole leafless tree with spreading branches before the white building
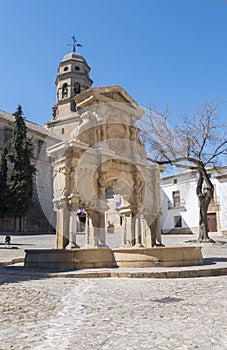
197	143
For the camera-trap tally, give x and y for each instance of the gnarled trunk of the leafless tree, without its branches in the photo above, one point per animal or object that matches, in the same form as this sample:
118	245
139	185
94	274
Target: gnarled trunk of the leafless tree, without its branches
204	196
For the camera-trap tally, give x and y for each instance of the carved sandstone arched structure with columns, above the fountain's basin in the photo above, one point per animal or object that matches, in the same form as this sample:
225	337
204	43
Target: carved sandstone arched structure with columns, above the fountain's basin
103	154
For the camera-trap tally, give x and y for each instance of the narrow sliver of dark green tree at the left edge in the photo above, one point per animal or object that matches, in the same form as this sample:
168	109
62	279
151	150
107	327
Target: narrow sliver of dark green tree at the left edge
4	195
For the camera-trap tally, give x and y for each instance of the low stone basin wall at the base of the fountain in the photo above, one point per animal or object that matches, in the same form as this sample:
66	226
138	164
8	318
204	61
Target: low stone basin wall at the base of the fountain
85	258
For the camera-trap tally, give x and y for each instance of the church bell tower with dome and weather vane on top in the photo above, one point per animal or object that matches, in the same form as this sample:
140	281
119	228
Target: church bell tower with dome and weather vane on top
72	79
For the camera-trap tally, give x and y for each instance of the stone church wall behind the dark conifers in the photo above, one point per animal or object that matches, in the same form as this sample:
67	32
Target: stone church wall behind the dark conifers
36	220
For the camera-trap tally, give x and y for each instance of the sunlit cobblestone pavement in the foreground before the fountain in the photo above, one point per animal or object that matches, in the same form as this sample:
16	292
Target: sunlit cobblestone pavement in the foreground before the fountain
109	314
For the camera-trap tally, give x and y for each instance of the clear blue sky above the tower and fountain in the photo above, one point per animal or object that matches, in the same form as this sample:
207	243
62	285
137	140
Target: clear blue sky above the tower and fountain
161	51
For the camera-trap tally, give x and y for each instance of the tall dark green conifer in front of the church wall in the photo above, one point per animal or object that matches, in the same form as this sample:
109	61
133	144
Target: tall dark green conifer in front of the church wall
21	179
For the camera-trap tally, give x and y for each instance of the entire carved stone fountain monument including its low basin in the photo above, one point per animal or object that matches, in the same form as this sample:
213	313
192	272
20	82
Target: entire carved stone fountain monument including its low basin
105	155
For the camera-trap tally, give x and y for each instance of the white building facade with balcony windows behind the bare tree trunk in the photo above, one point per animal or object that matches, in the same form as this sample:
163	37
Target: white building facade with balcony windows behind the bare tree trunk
180	207
